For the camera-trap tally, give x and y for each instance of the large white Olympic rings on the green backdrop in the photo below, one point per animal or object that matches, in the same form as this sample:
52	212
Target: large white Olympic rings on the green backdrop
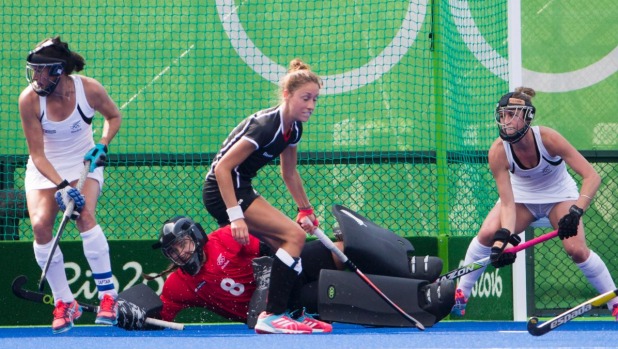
399	46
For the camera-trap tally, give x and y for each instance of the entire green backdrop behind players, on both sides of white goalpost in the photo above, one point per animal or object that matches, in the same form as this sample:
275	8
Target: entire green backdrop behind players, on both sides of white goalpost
402	126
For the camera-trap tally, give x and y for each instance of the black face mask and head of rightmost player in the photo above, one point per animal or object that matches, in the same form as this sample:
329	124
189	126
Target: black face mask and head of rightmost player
512	107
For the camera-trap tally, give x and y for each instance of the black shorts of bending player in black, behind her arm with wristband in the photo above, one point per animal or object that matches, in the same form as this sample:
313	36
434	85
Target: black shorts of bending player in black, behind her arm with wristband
211	197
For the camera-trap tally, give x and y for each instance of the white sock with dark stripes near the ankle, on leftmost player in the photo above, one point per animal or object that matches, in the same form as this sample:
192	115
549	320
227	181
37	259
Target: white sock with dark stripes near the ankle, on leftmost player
96	250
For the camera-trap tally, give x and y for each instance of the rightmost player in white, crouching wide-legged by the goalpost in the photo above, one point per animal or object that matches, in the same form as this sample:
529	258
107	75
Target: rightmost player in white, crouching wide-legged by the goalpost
529	167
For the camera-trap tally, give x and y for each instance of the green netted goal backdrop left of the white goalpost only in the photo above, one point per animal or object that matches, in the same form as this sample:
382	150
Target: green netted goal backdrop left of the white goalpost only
400	130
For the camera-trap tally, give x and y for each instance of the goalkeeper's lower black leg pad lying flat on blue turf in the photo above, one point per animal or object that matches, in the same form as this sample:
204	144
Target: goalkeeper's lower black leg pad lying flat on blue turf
343	297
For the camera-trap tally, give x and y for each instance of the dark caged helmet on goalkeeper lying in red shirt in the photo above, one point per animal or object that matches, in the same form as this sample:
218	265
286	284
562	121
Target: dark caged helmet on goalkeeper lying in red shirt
182	241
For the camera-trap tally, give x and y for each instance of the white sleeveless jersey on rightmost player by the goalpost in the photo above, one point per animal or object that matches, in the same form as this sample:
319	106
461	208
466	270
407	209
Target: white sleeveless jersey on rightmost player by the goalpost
548	182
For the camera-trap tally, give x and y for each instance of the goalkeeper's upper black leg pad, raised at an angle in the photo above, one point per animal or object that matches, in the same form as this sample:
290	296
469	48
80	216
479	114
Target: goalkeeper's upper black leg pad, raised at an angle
376	250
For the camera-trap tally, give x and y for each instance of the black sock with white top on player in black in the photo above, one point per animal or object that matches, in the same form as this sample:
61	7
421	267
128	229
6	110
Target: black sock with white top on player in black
283	275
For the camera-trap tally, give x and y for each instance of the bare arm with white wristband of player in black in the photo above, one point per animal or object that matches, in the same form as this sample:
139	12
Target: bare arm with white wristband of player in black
238	153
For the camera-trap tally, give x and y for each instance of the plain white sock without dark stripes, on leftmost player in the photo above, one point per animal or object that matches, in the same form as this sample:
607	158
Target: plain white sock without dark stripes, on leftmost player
56	276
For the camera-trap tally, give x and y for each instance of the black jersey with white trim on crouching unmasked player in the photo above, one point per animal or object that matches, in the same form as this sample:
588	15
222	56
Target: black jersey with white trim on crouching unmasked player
264	130
